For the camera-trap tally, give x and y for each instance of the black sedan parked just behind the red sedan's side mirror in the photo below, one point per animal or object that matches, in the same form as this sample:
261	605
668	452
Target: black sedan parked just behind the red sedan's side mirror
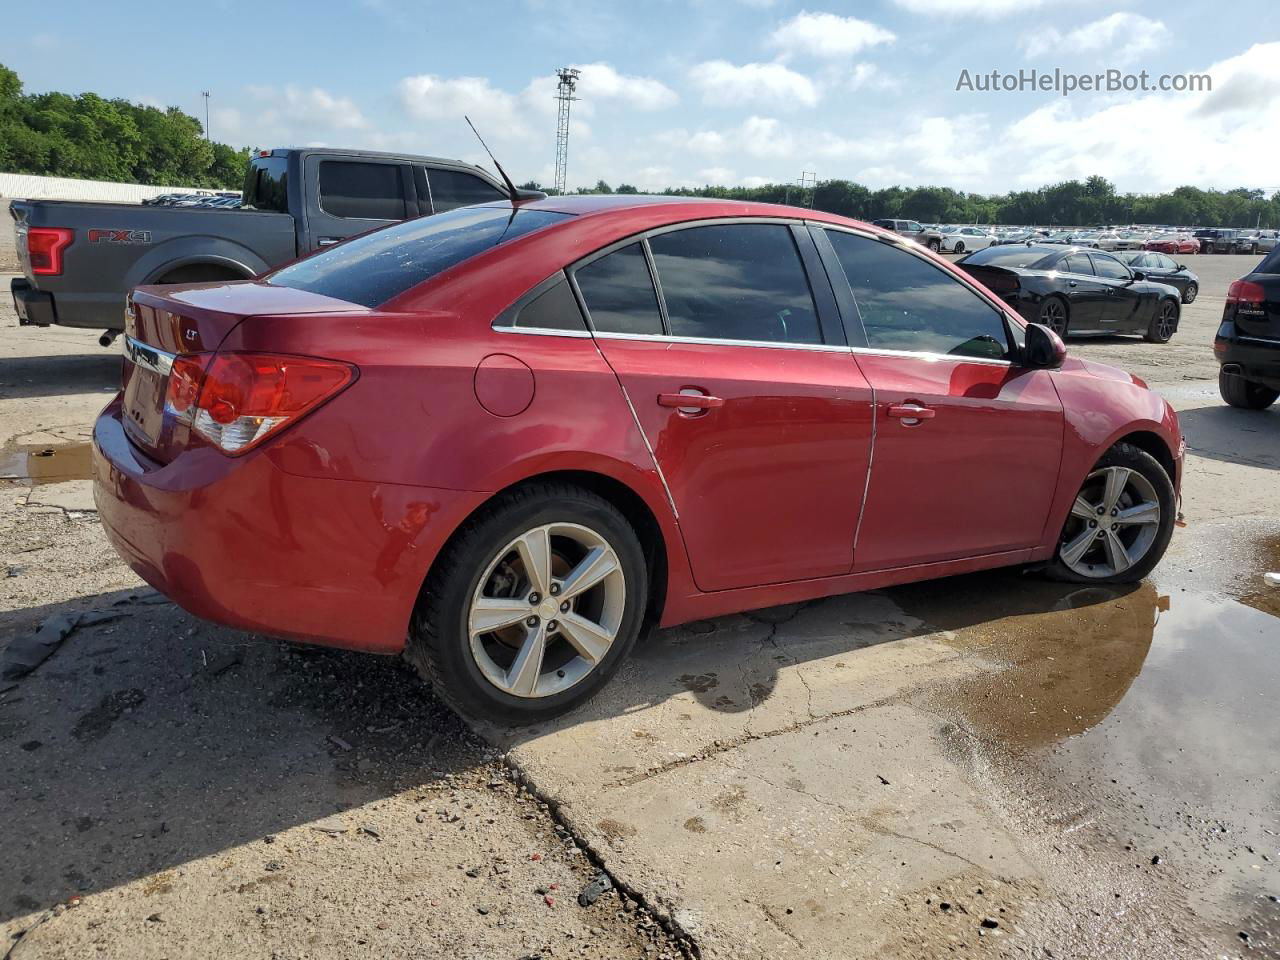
1077	290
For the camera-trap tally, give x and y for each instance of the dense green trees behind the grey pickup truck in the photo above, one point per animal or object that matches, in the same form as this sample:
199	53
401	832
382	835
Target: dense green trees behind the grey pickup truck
89	138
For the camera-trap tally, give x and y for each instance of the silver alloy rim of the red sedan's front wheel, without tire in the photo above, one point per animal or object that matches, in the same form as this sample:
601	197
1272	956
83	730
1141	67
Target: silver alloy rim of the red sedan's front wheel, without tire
1114	523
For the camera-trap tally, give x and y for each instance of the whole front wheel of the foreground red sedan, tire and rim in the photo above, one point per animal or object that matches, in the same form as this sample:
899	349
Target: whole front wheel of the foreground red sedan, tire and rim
1121	522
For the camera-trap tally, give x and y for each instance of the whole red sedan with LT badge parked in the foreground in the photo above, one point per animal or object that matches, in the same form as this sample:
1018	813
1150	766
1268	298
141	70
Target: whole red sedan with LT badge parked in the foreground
505	438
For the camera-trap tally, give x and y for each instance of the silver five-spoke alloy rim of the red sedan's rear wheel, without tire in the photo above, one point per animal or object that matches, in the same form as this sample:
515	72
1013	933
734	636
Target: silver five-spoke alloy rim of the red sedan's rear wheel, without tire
547	610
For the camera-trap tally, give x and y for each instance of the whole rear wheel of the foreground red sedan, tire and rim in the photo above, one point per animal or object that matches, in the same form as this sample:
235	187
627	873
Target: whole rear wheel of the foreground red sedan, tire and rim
533	606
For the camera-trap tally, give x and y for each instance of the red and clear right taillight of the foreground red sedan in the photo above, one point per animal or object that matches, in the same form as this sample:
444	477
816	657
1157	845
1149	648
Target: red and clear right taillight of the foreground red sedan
244	399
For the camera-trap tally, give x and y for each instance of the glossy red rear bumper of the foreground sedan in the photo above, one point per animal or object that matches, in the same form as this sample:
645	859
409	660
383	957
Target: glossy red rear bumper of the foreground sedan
240	542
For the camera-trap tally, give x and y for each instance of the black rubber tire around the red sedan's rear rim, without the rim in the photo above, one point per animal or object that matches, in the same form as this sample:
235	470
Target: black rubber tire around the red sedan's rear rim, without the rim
440	642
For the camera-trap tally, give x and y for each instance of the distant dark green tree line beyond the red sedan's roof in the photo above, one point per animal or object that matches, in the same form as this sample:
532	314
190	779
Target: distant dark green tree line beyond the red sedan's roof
1094	202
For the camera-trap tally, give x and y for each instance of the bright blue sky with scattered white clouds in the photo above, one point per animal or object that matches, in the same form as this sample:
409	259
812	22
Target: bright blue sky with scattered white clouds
687	93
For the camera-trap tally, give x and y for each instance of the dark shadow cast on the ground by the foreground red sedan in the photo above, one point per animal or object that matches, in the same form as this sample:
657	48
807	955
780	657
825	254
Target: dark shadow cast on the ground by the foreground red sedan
153	739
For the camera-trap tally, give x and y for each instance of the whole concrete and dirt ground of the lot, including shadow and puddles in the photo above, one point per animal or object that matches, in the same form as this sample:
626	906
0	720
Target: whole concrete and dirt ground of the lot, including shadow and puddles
990	765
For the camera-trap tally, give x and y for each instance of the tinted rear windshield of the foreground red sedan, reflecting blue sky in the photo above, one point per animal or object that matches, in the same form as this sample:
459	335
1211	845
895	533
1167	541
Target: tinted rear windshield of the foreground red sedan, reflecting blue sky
383	264
